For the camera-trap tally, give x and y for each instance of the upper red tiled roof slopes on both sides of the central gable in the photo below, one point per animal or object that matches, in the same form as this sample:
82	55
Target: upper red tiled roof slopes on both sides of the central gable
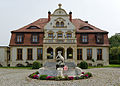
43	21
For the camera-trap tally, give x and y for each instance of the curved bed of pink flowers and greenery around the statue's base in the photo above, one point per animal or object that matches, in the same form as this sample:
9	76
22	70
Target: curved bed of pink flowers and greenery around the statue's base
36	75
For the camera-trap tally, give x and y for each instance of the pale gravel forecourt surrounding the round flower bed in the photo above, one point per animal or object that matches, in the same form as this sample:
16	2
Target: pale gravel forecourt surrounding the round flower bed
101	77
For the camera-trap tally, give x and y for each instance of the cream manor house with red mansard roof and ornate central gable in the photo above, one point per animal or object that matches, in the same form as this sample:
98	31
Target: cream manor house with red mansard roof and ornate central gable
41	40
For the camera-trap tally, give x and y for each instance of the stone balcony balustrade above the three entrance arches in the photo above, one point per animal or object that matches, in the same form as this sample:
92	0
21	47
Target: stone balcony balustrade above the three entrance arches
60	41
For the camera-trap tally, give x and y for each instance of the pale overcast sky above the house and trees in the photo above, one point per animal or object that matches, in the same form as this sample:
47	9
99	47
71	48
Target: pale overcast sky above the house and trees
104	14
